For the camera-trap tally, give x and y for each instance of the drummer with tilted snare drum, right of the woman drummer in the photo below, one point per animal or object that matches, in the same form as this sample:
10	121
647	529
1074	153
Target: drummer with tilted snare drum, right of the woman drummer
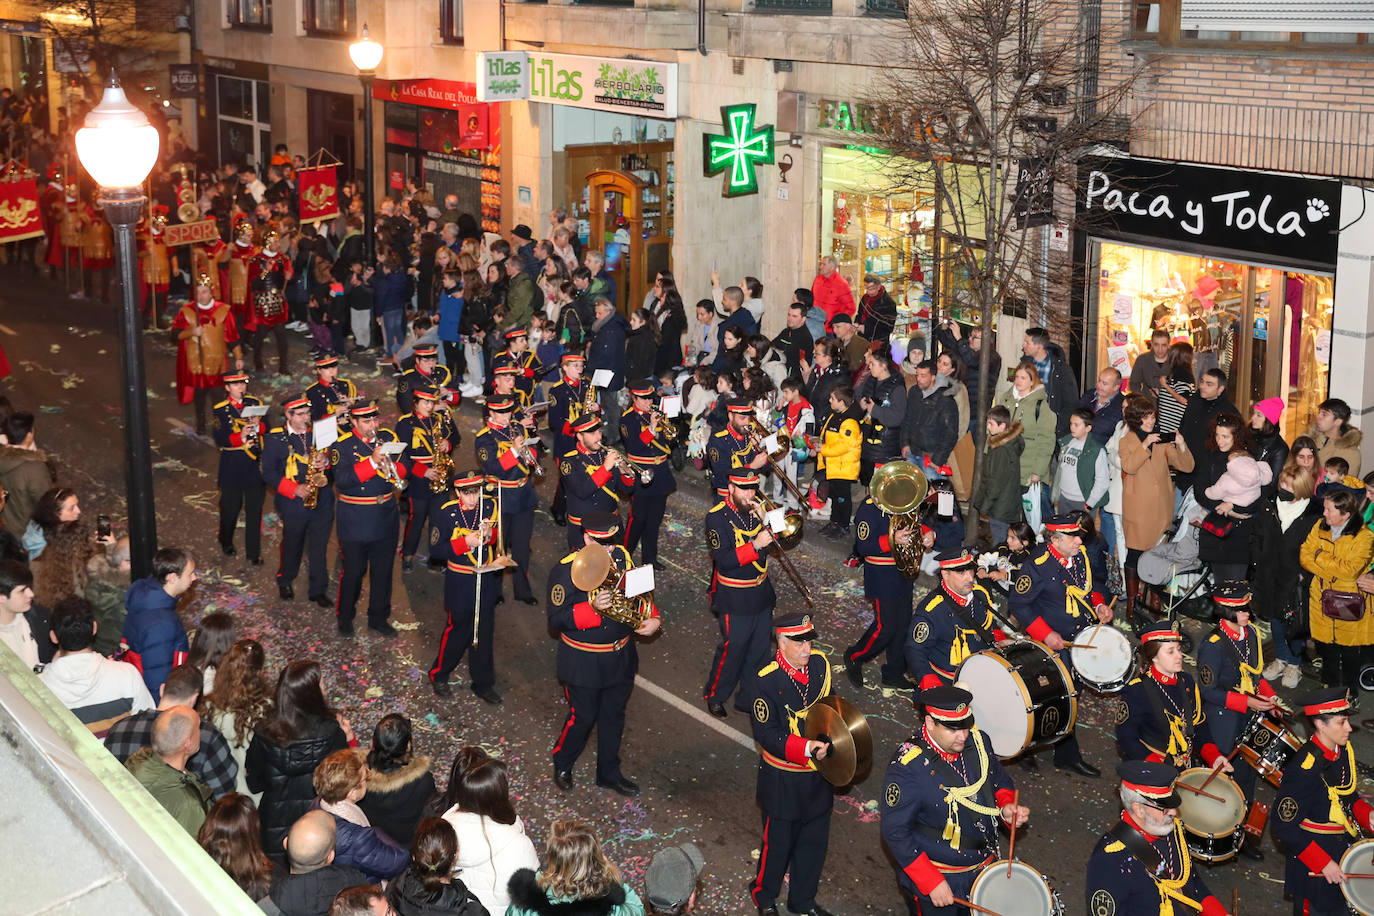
1230	661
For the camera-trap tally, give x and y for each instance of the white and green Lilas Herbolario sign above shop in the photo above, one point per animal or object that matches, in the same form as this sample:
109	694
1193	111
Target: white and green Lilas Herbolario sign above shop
648	89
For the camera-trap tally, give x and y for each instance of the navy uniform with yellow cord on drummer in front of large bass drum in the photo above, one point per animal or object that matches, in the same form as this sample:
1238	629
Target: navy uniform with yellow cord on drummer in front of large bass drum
941	815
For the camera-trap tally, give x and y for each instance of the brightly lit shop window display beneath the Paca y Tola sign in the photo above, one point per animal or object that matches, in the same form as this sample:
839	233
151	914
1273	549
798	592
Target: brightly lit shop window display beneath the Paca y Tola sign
1269	330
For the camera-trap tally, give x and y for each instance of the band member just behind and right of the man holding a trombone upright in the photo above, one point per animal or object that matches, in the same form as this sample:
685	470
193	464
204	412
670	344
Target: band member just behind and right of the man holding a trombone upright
504	458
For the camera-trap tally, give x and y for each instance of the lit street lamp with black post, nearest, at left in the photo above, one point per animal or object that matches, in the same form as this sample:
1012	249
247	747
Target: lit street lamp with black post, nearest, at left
119	148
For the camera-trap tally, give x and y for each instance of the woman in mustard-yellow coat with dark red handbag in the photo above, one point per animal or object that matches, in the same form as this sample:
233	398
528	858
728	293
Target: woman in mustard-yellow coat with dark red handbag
1338	553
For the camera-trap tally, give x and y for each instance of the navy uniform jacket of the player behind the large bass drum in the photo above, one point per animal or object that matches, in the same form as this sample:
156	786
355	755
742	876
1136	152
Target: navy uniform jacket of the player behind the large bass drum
942	637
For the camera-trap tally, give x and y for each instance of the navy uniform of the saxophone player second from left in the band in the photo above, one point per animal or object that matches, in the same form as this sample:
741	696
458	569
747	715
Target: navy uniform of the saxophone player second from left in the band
286	470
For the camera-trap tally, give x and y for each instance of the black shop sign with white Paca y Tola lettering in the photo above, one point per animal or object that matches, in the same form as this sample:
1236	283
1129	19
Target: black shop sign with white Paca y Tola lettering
1289	220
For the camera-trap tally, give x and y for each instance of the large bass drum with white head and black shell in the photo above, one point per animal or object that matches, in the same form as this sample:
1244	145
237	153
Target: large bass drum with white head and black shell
1023	696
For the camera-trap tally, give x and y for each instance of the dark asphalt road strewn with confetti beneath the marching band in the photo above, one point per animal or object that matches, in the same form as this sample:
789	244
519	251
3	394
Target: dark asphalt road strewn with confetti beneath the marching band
697	772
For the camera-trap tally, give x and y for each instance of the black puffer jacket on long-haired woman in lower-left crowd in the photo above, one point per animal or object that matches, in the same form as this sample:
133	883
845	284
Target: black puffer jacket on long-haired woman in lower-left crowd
285	774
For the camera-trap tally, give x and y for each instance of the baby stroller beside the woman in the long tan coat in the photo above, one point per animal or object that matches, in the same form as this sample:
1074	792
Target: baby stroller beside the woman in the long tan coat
1175	580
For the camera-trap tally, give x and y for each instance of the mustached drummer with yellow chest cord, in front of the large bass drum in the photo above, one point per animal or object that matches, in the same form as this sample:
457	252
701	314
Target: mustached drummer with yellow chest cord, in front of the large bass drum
946	794
